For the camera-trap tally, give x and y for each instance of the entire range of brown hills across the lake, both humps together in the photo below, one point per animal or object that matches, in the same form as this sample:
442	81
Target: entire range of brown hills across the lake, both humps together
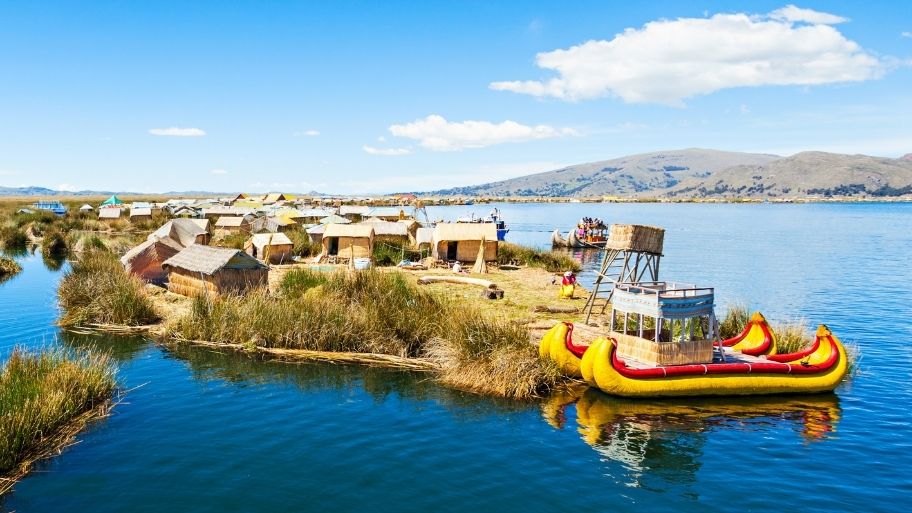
702	173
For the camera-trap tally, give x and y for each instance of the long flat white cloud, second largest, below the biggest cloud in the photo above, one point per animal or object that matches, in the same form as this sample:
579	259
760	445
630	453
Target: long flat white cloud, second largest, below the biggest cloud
438	134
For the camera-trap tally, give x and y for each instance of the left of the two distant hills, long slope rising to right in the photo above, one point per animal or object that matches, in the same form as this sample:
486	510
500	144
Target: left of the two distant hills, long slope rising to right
625	176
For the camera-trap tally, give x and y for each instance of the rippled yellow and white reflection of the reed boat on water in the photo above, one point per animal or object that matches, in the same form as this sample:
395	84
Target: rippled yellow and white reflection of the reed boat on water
651	443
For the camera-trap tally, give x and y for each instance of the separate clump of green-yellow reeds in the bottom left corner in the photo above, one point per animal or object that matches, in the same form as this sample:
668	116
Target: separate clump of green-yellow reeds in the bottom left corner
46	398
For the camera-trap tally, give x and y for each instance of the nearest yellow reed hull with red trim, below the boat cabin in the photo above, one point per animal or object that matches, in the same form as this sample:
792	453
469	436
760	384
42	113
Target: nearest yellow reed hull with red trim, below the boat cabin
819	369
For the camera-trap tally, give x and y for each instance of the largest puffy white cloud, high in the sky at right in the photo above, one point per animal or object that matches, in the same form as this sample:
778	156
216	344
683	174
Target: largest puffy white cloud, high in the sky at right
667	61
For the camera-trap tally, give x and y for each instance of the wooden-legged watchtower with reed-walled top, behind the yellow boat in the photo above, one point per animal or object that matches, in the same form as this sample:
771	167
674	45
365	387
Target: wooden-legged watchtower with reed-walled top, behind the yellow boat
632	252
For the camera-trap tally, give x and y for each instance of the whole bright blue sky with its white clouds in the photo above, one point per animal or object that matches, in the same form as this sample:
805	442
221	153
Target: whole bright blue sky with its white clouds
376	97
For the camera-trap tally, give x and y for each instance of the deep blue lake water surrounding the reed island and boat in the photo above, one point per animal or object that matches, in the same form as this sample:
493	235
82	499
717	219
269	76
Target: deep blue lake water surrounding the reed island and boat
205	431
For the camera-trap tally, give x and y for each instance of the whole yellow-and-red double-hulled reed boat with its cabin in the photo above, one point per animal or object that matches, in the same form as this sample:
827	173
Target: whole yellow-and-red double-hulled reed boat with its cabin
666	361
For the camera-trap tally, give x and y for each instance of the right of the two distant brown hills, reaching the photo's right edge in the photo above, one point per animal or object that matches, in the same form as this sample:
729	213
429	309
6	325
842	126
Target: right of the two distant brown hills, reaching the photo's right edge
810	173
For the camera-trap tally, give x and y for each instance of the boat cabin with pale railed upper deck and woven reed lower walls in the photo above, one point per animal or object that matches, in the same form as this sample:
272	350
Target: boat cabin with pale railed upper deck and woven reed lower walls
663	323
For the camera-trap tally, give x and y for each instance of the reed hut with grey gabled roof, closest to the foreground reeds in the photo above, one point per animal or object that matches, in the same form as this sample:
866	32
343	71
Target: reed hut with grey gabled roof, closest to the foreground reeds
199	270
